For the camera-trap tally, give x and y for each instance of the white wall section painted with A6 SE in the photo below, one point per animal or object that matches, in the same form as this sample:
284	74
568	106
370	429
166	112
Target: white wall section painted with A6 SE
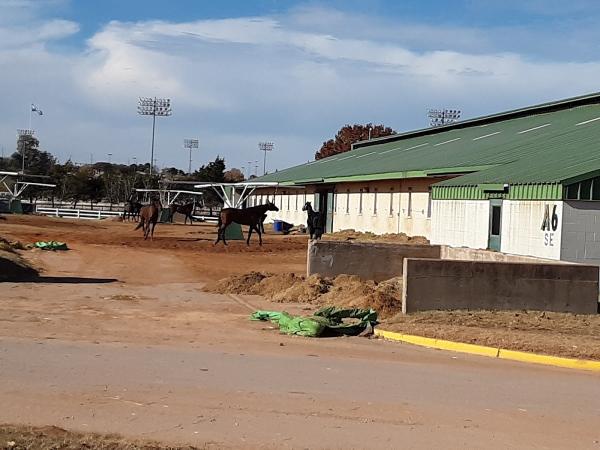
522	234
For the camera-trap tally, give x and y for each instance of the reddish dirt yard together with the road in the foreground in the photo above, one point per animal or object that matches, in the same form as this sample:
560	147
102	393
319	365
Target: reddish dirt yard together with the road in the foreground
119	338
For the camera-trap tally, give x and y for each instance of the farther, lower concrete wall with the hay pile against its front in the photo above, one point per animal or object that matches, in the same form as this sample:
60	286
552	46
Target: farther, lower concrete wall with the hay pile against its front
367	260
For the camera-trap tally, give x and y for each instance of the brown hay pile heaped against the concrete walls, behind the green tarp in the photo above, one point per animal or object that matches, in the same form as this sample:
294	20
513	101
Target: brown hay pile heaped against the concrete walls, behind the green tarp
344	290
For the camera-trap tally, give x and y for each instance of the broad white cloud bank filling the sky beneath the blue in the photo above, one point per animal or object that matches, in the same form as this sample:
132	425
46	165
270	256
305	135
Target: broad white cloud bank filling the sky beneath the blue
240	80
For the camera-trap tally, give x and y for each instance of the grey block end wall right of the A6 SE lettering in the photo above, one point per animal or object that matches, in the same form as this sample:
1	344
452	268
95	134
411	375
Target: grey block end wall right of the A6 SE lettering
581	232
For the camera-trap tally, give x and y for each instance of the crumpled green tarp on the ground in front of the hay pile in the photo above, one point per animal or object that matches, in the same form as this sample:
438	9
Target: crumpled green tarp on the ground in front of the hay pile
325	321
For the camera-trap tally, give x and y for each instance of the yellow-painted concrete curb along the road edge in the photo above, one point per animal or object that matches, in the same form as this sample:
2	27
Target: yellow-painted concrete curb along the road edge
492	352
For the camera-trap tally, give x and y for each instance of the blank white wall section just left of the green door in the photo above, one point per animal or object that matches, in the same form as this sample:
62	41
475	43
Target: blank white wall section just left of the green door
460	223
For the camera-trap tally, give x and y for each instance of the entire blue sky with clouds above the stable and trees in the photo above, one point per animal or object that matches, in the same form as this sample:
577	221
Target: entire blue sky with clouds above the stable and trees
290	72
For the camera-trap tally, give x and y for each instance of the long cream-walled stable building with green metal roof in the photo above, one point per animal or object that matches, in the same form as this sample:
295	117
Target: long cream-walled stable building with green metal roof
525	182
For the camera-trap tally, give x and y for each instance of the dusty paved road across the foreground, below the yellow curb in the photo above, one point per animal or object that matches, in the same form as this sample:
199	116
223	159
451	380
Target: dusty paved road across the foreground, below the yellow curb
403	397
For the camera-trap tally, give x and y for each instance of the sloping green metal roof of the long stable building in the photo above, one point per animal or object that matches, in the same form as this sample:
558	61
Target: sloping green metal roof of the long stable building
552	142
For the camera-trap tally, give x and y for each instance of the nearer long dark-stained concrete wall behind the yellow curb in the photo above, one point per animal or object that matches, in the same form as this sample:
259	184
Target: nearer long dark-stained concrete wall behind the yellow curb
431	284
